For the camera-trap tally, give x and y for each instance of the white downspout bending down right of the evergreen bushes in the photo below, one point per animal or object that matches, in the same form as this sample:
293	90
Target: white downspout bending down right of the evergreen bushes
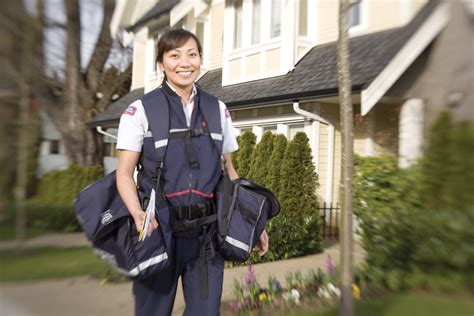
329	175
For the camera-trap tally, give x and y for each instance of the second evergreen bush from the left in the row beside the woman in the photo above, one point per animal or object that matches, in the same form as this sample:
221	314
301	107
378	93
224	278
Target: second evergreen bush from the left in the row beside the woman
259	162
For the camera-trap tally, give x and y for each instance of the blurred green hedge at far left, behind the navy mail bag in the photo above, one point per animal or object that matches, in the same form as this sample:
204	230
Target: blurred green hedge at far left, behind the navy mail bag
52	207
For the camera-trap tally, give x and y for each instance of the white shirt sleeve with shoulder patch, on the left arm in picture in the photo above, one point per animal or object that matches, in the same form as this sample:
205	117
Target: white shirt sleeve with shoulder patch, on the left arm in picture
132	127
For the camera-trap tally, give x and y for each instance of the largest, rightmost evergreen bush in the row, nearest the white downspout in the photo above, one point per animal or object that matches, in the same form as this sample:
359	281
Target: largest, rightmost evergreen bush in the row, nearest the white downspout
296	230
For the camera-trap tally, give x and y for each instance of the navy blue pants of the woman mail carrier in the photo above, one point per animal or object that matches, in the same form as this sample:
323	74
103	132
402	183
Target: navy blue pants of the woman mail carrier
155	296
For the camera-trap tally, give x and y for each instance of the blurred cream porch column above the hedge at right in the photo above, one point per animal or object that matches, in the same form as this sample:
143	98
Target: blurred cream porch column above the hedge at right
410	135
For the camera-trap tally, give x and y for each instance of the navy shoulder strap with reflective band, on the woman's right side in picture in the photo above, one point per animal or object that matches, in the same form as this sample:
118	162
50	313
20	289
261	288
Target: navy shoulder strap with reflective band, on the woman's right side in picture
210	110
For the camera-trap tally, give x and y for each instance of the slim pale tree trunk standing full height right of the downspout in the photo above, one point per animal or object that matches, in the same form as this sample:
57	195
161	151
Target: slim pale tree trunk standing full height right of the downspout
345	91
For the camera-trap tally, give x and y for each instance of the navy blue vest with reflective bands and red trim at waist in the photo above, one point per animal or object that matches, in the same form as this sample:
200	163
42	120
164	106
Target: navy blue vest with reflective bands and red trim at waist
181	182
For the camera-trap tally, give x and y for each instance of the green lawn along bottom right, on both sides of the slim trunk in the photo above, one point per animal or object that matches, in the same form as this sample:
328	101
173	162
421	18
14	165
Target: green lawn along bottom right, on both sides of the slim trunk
406	304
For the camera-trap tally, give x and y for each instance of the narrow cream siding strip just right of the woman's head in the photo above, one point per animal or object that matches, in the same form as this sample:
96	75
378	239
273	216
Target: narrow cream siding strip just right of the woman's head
217	30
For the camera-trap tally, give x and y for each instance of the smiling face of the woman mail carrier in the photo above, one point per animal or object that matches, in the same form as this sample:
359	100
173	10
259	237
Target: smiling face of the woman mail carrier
182	65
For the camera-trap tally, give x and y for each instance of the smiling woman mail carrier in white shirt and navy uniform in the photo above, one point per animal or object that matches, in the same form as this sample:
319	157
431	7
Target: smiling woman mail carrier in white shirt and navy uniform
190	173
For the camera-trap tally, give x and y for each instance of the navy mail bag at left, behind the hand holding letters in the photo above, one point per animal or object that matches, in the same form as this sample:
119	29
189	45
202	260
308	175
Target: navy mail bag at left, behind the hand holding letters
110	227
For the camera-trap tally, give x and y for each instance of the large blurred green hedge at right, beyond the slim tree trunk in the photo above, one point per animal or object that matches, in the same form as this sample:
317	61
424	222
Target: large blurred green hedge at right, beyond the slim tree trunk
417	224
